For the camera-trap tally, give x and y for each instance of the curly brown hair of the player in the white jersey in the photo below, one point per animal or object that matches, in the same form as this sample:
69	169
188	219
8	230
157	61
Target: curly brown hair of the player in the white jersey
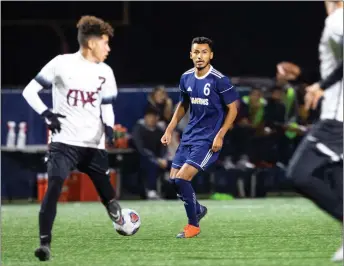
90	26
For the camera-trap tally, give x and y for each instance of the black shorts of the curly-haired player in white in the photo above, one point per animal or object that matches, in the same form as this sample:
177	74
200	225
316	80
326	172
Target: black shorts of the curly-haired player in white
63	158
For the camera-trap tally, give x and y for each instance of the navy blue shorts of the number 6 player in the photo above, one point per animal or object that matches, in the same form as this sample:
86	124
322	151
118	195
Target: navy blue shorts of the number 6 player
198	155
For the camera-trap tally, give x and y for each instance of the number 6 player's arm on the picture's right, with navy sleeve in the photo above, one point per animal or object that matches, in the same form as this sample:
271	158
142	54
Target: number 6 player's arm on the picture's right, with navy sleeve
229	95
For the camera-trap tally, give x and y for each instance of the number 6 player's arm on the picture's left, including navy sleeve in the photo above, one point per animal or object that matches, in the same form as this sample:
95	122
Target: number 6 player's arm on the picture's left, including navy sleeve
179	113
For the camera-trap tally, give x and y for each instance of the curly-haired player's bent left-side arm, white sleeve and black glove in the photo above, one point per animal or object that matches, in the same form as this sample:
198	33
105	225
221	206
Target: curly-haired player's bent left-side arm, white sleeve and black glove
44	79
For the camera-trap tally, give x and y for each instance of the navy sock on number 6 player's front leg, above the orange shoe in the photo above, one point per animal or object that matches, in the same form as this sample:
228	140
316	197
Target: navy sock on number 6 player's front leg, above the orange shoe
189	197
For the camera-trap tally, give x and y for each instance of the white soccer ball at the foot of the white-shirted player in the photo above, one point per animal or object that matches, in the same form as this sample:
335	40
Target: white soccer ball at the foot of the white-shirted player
130	223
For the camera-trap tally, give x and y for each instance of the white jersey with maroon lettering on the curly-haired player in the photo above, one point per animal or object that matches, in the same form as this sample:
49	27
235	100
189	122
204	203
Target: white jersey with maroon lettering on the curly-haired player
78	89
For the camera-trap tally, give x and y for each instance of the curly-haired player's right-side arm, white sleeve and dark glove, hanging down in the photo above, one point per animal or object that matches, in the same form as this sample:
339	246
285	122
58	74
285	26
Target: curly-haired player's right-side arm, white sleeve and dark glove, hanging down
108	92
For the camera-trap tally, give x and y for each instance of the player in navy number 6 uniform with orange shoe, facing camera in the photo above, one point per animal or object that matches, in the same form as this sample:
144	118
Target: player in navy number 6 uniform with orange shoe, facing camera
212	101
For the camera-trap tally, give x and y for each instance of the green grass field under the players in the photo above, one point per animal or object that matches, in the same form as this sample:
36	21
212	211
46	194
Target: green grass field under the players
289	231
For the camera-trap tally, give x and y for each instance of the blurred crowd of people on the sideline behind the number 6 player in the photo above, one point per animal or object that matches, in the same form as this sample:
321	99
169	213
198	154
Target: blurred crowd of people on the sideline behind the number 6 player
272	120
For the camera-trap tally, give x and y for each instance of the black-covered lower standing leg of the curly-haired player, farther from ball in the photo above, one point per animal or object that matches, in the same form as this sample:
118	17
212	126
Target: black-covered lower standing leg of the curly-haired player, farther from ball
47	212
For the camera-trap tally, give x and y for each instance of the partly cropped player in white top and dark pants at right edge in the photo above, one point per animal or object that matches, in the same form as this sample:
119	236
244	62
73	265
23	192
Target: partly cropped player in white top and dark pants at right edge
323	146
